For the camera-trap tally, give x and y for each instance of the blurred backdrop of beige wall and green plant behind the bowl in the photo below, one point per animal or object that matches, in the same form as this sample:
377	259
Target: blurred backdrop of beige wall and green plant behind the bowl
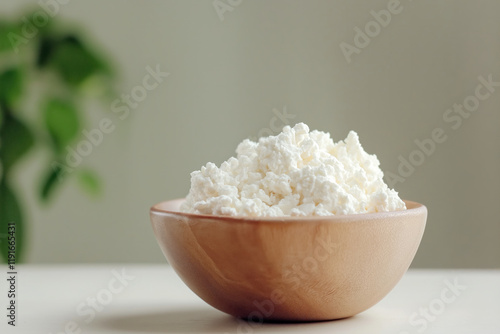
107	108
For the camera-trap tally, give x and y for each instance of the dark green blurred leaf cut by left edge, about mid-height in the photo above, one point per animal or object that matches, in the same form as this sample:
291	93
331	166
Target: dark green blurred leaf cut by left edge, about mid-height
16	140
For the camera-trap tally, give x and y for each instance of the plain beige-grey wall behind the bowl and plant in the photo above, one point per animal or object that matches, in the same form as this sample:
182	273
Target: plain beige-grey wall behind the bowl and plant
226	78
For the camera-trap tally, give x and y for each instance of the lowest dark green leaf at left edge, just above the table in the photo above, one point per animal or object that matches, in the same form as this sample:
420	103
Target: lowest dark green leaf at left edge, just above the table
10	212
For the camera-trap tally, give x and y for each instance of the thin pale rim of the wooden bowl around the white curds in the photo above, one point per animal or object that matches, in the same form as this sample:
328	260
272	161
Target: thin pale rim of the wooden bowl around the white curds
415	208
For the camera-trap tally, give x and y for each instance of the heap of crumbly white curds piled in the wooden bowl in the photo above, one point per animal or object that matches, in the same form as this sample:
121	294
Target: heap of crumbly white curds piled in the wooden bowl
296	173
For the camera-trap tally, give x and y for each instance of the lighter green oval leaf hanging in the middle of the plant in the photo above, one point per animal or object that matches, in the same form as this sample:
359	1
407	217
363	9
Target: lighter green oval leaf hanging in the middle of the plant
62	122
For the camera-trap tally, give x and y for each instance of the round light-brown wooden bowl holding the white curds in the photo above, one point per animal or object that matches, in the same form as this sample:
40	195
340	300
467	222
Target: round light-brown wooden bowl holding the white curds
290	268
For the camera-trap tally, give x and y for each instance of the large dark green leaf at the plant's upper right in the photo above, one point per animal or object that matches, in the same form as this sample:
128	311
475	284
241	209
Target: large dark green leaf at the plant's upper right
74	61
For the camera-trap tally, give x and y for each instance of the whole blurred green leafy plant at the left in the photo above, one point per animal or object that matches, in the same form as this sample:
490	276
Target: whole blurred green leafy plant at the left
63	64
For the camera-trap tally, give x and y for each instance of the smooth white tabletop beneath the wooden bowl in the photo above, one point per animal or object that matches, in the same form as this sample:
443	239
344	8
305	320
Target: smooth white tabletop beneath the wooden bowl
156	301
